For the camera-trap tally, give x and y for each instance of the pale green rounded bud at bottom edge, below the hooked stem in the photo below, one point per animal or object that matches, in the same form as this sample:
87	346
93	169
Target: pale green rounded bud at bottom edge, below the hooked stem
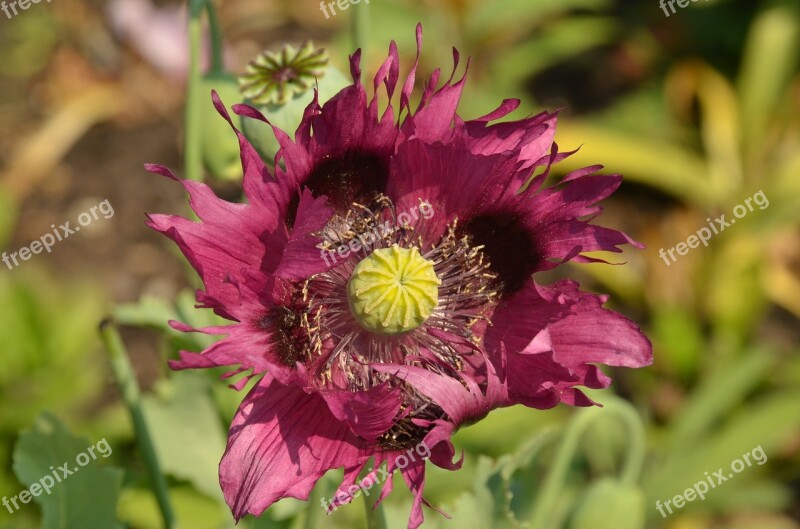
610	504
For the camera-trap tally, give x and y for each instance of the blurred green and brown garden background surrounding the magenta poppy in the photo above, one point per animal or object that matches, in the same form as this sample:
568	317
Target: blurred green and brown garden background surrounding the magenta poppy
699	110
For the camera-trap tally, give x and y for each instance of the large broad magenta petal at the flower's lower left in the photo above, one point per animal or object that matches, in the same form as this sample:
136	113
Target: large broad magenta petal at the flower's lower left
281	442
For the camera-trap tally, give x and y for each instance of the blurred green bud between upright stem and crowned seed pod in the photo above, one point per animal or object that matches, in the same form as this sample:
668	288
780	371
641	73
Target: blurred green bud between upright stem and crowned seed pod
218	142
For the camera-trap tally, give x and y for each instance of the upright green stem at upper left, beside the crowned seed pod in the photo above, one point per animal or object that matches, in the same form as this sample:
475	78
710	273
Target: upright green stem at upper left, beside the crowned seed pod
193	161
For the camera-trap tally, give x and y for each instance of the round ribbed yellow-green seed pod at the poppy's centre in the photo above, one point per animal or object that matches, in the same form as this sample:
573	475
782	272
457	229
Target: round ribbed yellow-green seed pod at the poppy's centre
393	290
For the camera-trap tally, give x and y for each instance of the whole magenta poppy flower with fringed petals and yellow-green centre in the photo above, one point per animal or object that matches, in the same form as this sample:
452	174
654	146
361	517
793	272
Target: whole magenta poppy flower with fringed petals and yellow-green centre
380	283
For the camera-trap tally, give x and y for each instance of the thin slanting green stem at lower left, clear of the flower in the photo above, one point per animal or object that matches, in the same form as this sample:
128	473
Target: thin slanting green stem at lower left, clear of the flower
126	379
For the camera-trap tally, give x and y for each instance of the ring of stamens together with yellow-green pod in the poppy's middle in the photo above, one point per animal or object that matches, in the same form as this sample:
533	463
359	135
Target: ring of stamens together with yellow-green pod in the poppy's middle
398	300
